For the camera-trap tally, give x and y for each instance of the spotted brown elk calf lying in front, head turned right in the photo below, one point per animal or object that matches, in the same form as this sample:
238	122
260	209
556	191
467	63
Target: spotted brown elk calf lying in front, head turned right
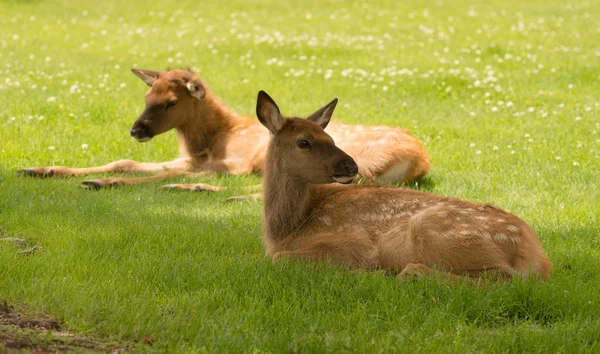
358	226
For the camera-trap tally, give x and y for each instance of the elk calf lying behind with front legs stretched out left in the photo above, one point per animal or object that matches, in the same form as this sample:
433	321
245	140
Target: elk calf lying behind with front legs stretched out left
215	139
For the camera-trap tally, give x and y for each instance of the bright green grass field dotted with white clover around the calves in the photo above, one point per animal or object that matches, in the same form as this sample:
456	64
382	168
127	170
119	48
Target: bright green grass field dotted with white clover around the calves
504	95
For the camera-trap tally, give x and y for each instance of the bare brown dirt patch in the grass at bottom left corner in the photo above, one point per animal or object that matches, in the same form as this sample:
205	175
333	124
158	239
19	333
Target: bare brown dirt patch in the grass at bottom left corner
42	334
